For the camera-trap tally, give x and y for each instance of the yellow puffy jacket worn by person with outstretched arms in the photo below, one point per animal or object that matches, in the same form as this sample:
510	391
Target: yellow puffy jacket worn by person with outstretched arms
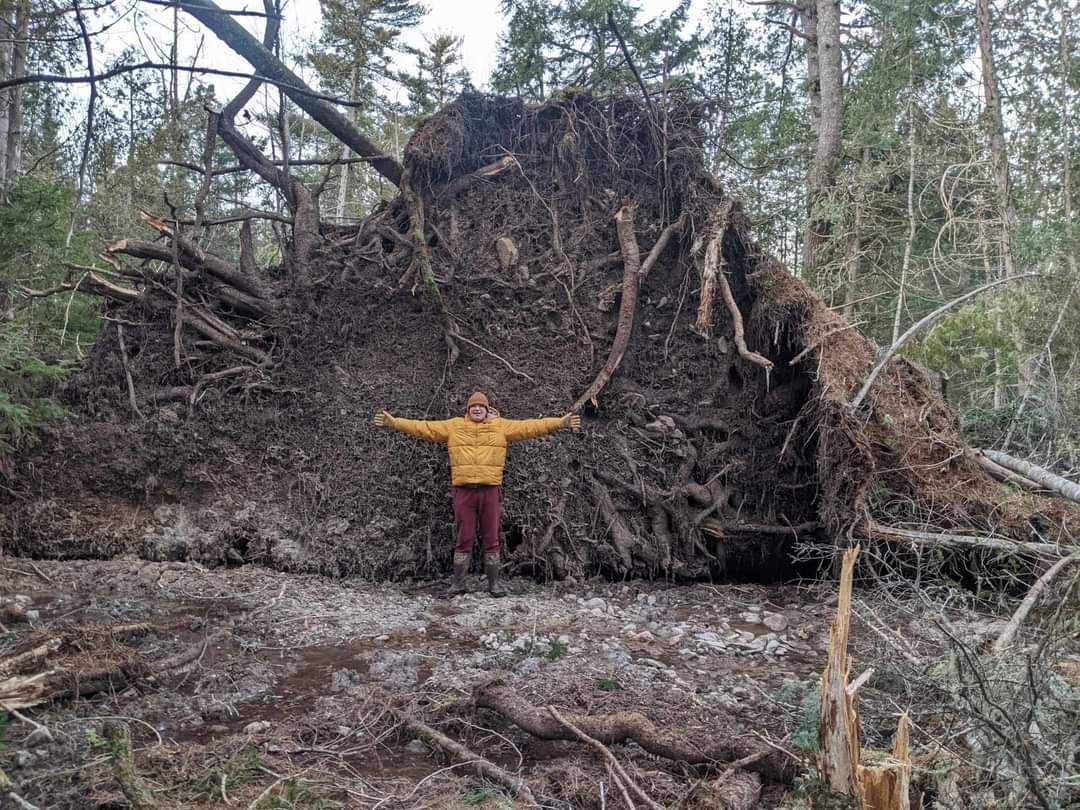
478	450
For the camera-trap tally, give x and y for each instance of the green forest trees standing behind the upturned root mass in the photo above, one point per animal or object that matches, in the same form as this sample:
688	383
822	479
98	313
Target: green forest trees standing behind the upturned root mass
894	155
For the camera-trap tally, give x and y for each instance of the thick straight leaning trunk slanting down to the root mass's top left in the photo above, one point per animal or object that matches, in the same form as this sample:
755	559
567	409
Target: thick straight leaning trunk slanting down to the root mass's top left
235	36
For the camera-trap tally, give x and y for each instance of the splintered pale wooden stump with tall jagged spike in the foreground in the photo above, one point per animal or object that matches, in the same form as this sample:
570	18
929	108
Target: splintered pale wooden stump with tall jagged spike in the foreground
884	786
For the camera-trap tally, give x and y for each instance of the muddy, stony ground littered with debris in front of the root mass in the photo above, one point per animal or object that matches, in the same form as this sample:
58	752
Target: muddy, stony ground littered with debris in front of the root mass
289	707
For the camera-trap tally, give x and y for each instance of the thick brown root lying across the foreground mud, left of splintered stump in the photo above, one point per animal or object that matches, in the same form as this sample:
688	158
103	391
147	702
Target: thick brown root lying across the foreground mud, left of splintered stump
750	754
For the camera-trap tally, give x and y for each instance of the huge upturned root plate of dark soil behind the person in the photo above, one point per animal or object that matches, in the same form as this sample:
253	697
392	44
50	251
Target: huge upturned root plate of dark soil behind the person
700	456
